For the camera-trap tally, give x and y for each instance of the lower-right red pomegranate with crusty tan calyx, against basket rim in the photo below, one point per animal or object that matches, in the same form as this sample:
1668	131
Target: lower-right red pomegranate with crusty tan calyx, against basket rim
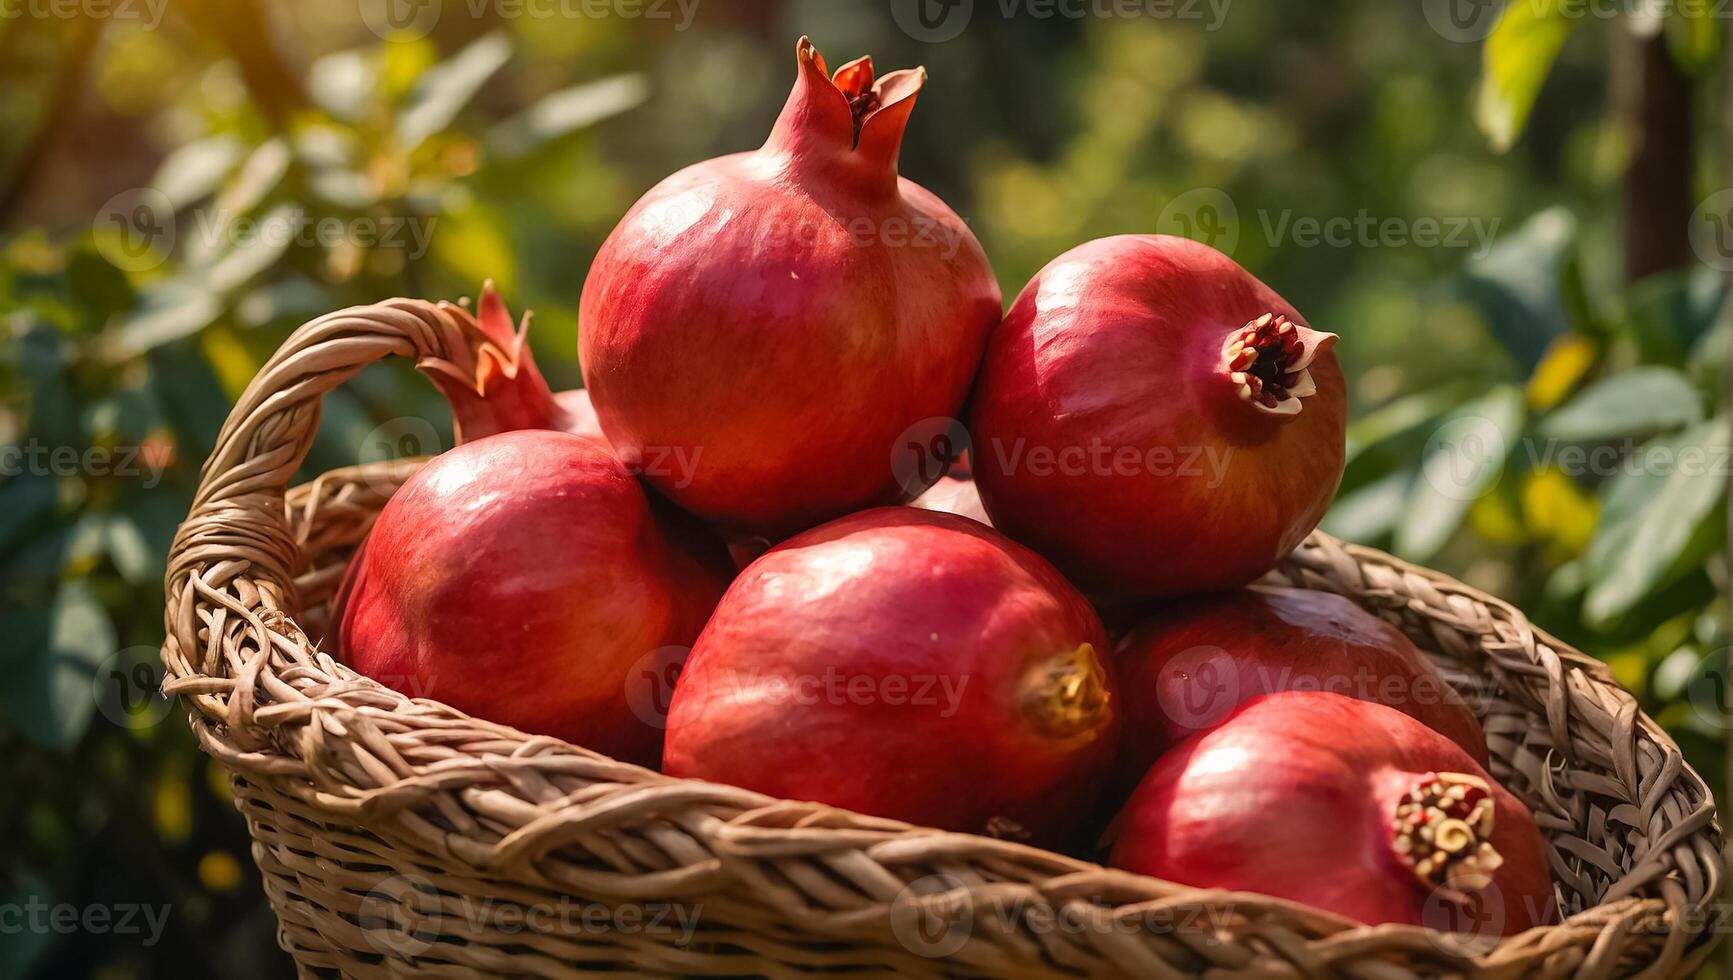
1346	806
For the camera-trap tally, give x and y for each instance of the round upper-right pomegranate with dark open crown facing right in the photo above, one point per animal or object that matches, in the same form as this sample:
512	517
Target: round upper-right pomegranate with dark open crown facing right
1157	421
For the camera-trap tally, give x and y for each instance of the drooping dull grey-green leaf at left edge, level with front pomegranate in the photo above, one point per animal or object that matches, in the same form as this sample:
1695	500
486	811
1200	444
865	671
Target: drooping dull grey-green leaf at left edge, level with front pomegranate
51	698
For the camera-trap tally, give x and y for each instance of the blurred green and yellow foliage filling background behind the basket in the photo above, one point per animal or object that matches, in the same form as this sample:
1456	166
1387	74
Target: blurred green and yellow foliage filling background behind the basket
181	192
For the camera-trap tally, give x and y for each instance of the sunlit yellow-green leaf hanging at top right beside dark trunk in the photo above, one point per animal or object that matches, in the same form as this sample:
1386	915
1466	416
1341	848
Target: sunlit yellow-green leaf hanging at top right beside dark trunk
1516	62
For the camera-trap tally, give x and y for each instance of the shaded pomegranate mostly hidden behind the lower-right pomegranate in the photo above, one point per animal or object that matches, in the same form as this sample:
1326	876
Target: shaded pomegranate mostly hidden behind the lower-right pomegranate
1190	665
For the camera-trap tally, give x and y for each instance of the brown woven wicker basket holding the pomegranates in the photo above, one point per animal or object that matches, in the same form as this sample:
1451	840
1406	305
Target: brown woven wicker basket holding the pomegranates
399	837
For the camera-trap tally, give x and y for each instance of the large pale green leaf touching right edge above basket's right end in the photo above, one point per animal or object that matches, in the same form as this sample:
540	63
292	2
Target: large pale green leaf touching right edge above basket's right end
1661	516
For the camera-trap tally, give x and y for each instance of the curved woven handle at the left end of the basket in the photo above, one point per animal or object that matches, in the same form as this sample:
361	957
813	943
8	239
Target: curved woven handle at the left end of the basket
235	549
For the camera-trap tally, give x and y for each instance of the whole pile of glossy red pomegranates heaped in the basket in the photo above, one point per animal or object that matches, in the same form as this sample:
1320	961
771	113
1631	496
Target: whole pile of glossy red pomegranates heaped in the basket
743	554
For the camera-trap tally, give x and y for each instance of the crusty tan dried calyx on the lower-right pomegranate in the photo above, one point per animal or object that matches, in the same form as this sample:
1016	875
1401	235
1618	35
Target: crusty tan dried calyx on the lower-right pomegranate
1443	833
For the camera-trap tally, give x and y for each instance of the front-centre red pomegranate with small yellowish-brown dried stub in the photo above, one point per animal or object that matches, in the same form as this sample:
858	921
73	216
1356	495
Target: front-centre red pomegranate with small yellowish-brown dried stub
911	665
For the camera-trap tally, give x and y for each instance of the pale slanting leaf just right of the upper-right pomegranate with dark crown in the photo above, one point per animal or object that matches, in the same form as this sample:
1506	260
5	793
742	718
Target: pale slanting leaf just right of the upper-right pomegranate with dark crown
1464	461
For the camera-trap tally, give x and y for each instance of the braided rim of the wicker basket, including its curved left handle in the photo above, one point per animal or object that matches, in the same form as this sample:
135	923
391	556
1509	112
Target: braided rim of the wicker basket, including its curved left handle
283	714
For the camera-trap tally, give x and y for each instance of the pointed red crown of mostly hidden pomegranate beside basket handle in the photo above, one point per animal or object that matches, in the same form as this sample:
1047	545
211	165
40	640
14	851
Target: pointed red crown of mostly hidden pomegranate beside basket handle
493	382
